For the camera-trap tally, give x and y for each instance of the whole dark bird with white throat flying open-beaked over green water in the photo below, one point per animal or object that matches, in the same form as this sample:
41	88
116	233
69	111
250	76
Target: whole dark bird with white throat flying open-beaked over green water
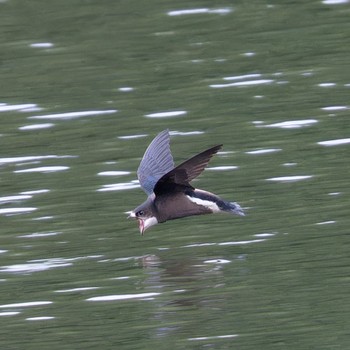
170	194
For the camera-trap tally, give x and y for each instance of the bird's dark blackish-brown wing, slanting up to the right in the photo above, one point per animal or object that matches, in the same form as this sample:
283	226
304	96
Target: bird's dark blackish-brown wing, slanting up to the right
183	174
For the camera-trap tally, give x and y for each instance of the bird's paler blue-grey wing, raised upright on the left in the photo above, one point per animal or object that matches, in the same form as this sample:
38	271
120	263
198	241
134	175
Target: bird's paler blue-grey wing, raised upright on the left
156	162
